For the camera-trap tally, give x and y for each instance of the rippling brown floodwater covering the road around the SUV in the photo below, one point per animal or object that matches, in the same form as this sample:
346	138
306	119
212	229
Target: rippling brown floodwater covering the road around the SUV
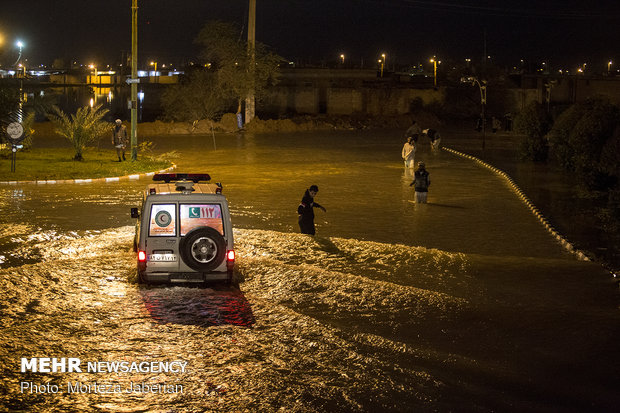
465	304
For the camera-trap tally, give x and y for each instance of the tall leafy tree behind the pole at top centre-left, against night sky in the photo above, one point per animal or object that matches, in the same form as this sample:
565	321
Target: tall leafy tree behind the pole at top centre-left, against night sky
228	56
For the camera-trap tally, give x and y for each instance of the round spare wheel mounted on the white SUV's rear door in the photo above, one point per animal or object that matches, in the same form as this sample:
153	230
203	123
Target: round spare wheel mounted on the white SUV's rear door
203	249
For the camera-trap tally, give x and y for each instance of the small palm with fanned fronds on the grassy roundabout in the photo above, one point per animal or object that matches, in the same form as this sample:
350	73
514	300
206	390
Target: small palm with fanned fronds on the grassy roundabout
80	129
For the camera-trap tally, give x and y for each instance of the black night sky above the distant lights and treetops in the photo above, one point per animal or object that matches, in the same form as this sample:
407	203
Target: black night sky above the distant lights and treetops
313	31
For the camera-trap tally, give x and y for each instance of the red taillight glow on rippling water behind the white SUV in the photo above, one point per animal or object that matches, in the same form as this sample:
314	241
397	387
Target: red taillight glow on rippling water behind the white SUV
197	306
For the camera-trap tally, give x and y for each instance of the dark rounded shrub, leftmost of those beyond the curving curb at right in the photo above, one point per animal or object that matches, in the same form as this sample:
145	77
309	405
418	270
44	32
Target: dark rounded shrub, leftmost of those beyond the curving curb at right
534	123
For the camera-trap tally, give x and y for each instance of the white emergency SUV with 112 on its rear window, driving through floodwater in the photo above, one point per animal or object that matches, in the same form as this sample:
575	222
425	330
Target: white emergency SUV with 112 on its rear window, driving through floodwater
183	231
